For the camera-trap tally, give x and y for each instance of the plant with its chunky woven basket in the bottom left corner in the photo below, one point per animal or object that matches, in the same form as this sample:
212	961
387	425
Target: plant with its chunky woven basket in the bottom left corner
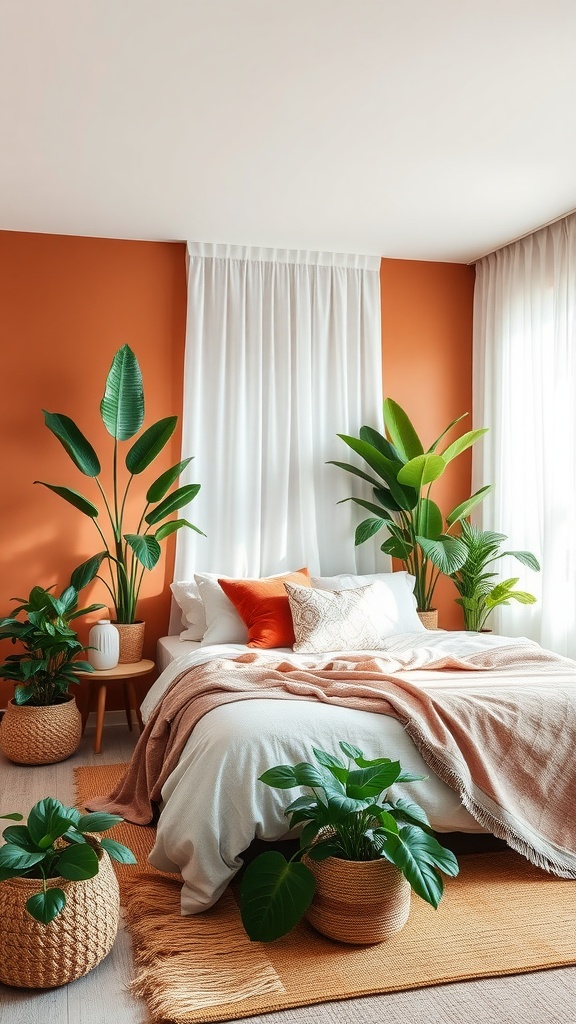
59	894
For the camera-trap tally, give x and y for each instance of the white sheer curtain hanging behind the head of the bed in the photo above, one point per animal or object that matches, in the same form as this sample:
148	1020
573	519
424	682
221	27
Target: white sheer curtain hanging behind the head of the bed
283	353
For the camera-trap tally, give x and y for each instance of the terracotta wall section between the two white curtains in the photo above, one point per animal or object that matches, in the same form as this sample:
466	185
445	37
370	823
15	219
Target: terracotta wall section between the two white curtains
427	353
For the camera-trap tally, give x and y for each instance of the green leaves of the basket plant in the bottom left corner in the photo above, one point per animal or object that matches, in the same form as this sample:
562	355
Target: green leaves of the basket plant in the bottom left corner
57	842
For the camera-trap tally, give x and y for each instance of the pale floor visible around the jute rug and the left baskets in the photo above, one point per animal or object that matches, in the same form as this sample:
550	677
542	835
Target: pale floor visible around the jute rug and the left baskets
102	997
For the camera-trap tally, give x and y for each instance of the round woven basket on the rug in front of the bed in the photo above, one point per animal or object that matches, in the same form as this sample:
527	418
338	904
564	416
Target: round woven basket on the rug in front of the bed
358	902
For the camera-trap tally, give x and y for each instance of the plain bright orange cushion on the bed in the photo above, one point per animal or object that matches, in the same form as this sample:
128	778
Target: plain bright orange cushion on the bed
264	606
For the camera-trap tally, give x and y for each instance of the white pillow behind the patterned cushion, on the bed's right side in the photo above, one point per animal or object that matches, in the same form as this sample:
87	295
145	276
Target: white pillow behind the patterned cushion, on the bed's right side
397	601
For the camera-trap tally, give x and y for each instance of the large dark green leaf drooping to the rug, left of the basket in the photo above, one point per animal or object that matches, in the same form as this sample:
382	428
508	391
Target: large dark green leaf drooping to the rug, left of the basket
274	895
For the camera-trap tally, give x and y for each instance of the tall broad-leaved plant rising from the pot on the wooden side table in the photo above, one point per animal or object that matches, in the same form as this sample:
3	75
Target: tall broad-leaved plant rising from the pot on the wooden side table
129	554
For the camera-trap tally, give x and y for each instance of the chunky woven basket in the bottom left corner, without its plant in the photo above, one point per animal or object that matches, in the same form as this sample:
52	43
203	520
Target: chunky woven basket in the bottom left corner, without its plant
36	956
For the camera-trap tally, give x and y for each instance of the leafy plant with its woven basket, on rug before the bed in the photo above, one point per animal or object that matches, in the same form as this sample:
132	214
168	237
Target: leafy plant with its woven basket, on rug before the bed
357	847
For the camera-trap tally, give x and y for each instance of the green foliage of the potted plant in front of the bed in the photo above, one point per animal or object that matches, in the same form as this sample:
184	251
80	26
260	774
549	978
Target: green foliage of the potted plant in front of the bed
349	816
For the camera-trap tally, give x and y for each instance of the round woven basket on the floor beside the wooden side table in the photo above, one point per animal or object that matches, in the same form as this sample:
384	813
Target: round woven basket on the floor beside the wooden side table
40	736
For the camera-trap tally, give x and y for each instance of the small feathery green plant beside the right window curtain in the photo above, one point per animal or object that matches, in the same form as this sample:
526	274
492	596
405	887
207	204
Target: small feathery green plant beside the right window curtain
476	584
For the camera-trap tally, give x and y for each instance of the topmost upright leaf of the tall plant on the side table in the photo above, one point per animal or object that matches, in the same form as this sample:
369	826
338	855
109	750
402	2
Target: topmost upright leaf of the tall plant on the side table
122	408
